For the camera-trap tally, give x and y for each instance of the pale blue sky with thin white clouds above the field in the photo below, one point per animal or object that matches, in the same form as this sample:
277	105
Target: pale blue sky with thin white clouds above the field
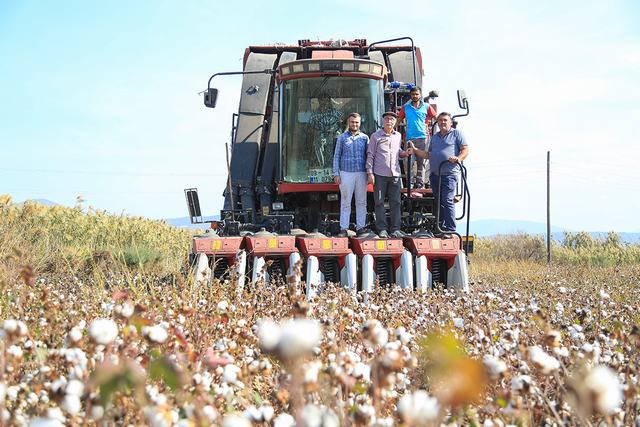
100	99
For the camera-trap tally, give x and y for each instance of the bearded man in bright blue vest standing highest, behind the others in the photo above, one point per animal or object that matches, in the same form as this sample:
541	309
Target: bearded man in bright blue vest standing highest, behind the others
417	115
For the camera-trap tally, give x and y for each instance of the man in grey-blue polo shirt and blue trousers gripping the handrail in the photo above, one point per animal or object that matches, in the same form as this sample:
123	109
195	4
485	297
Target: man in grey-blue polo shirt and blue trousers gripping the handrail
447	145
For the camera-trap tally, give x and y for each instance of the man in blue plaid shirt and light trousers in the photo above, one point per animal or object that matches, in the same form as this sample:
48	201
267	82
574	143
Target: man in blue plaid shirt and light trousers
349	173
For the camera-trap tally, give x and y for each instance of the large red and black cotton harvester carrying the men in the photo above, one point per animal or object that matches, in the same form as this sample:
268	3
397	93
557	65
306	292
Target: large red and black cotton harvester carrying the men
281	207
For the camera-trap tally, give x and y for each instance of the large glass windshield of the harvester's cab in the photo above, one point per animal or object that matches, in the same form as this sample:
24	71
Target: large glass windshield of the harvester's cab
315	112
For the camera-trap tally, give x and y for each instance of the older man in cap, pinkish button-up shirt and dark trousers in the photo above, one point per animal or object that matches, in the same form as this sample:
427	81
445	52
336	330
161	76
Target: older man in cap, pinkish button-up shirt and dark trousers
383	171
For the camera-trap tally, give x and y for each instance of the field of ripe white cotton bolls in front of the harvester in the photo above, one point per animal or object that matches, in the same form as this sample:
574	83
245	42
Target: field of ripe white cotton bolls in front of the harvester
549	350
